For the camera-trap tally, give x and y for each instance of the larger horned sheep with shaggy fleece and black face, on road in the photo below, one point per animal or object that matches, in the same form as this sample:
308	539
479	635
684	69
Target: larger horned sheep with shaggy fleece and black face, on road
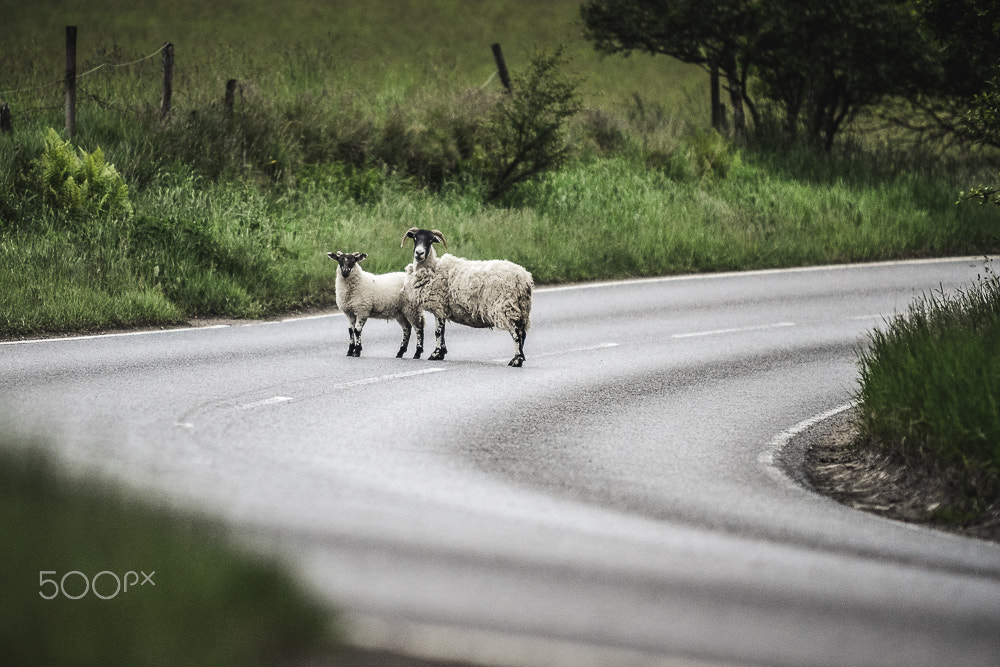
476	293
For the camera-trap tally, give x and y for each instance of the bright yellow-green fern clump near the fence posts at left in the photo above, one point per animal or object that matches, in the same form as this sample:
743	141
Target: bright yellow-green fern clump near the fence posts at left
82	183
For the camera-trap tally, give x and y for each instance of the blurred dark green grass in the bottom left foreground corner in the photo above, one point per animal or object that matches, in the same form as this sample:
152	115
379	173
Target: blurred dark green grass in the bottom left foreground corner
192	600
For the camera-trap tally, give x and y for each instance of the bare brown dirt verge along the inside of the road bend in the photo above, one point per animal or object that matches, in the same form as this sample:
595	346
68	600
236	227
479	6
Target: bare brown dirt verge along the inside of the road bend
835	464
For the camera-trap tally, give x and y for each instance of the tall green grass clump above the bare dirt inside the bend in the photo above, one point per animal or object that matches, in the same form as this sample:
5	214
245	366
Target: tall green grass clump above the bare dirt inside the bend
930	388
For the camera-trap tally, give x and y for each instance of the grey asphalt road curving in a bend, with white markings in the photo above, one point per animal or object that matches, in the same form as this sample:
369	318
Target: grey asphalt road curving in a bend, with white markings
618	501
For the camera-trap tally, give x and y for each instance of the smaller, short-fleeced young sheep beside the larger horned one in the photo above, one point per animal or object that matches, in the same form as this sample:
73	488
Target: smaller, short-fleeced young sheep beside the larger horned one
362	295
